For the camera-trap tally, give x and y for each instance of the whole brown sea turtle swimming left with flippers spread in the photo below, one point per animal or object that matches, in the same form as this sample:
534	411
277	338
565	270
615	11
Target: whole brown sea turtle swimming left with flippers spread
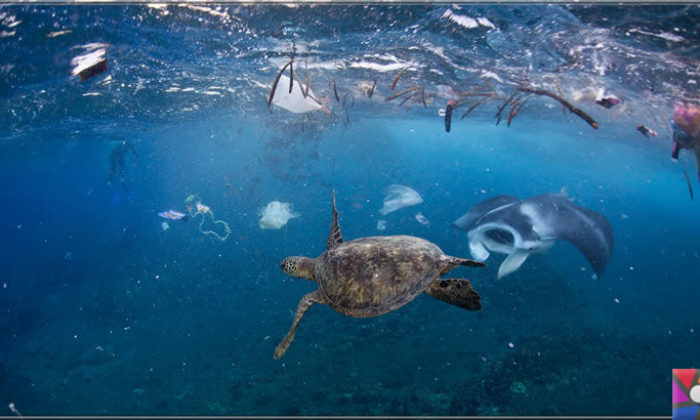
371	276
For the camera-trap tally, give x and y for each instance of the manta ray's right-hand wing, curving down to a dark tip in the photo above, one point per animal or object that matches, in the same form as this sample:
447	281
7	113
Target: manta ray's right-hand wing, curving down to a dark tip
558	218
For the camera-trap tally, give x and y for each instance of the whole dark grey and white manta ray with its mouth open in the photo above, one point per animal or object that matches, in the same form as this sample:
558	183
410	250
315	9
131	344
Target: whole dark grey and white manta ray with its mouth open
518	228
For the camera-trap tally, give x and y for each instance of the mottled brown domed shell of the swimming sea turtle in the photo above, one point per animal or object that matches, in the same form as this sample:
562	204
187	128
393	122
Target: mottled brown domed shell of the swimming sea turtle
372	276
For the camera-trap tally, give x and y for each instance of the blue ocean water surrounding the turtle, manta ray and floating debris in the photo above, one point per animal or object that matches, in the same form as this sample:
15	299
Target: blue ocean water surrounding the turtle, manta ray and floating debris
106	313
